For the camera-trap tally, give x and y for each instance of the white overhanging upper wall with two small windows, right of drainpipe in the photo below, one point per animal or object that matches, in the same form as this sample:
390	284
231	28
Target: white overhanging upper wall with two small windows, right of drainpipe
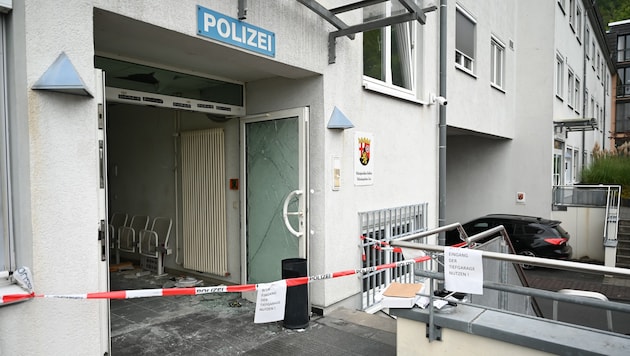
473	103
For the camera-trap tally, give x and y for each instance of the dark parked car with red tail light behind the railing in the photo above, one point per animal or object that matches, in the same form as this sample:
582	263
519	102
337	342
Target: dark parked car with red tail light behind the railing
530	236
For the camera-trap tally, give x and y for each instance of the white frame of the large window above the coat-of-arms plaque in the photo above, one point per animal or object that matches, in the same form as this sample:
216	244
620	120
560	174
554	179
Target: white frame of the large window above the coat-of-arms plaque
386	85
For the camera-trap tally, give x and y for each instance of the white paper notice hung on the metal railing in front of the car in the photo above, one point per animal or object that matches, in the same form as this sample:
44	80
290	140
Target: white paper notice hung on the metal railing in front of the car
463	270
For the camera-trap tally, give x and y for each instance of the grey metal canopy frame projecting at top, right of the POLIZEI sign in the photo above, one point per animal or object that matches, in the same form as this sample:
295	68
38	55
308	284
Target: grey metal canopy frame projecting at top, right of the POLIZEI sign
414	12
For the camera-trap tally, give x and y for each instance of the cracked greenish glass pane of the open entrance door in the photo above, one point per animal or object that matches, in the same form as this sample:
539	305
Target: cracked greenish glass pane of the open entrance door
272	169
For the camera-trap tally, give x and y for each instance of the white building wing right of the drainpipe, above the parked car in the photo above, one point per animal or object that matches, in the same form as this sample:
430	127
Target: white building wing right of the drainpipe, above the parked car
540	68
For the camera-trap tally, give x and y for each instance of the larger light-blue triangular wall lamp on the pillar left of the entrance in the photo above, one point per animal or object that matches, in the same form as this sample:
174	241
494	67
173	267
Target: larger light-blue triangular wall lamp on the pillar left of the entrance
62	77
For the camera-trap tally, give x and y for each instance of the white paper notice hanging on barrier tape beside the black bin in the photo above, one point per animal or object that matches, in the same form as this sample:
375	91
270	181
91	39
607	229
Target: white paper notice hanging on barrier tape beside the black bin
270	302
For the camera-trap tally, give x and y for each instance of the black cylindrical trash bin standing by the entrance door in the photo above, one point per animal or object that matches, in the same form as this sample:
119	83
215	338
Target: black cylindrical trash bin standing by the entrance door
296	307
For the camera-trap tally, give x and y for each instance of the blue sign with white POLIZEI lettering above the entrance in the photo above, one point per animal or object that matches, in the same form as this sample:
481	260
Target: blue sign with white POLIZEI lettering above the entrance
229	30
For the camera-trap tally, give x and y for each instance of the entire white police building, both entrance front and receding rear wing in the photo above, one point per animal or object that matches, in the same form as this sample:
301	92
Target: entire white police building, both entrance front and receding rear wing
273	130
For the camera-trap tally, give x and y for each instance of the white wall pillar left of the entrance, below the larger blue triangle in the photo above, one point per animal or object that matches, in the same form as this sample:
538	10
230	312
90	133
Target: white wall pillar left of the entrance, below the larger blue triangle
62	151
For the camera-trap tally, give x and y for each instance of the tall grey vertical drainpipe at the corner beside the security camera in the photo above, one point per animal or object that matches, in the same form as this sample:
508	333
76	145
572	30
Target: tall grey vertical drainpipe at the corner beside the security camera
442	125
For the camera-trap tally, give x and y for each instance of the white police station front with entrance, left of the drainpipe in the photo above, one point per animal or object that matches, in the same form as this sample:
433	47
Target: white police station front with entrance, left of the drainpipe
275	112
